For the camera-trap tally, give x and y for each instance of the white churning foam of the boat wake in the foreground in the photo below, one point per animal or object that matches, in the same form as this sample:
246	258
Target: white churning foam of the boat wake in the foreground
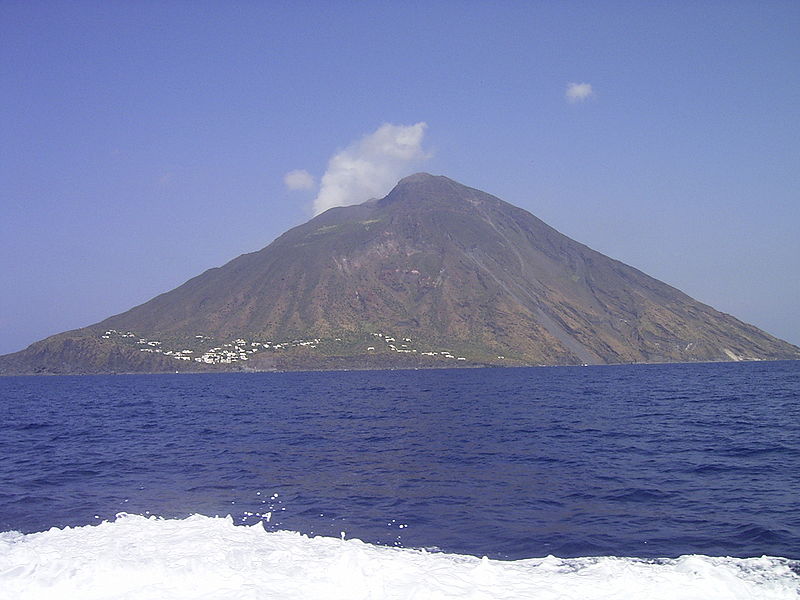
136	557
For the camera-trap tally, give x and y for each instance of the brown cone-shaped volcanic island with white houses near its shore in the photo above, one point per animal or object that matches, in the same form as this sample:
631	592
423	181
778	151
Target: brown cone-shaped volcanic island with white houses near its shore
433	274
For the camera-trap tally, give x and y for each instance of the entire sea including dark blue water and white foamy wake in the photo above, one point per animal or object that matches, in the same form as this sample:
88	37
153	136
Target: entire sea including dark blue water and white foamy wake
632	481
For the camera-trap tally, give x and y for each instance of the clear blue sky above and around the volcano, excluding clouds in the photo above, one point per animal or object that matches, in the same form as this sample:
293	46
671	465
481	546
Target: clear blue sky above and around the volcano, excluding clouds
144	142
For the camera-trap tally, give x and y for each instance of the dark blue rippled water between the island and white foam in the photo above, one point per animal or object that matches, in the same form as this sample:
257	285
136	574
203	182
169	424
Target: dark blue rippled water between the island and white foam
648	461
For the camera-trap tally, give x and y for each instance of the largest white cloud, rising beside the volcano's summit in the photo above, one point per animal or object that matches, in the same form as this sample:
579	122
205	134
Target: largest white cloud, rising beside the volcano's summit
369	167
